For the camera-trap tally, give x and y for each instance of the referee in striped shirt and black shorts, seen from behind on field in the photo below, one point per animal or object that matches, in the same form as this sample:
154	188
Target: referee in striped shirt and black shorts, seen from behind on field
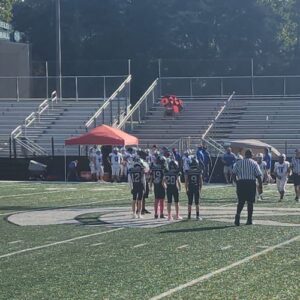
245	172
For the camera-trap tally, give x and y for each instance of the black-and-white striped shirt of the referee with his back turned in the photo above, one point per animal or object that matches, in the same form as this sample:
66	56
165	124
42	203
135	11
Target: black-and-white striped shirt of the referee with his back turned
246	169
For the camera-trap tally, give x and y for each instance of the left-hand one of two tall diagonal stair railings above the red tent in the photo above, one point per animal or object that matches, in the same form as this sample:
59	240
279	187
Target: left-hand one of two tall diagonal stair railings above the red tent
115	105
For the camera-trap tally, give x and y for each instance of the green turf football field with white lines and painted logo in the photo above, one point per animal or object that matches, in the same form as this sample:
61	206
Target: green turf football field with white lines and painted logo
77	241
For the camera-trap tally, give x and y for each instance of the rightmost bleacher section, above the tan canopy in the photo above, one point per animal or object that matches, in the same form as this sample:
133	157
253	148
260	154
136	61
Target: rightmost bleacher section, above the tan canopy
271	119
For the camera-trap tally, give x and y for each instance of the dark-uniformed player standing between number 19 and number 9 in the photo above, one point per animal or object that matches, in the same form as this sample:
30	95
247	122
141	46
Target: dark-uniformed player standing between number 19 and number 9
172	180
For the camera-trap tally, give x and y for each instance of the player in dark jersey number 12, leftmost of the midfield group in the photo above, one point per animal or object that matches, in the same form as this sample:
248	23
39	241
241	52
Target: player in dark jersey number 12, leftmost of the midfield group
137	183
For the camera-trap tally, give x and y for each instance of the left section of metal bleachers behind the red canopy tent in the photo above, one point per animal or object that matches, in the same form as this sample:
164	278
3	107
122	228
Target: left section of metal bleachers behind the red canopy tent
41	130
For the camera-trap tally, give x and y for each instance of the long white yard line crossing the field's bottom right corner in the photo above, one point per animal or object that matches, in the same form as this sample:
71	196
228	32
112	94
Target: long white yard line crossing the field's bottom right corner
209	275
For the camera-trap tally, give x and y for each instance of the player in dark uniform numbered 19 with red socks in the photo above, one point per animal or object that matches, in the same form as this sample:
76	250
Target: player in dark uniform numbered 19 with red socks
157	180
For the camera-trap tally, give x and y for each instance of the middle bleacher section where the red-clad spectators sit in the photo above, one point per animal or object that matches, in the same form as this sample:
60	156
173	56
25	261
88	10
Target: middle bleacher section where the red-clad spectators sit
163	130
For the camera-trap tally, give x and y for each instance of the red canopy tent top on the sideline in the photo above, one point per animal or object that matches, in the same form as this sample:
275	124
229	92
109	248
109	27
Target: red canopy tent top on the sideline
104	135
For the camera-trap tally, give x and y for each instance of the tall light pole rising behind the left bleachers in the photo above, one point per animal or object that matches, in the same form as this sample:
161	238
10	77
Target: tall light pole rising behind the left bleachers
58	52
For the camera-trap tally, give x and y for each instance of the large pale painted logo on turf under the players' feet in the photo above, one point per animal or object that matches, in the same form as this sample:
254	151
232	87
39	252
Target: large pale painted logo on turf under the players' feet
121	217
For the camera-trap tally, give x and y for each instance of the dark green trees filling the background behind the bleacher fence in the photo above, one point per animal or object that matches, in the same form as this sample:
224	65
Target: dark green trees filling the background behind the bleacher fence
223	35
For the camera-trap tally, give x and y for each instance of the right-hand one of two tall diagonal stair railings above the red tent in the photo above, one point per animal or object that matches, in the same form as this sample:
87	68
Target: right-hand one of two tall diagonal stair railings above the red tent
141	108
